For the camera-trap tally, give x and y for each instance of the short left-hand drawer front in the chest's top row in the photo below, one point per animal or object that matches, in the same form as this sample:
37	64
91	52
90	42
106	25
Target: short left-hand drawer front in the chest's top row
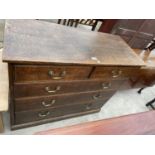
39	73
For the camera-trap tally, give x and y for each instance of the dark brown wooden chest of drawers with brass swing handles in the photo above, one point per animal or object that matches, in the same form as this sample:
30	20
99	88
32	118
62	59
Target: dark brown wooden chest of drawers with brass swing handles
57	72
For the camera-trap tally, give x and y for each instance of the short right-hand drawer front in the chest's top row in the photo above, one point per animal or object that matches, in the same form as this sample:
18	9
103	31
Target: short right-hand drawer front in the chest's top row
115	72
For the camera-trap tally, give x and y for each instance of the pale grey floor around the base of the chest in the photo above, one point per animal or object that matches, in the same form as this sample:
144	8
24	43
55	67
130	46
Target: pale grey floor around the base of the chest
122	103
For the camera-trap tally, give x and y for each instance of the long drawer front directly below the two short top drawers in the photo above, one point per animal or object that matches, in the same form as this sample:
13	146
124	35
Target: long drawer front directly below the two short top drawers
41	89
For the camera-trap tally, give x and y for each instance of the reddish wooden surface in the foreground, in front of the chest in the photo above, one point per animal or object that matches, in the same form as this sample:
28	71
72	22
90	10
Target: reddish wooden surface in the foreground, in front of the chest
135	124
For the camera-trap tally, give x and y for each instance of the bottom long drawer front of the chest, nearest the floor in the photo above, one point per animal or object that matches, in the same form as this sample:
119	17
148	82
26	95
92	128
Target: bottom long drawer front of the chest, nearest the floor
23	117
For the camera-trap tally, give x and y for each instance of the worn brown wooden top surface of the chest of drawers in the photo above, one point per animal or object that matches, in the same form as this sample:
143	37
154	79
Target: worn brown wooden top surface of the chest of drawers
35	41
